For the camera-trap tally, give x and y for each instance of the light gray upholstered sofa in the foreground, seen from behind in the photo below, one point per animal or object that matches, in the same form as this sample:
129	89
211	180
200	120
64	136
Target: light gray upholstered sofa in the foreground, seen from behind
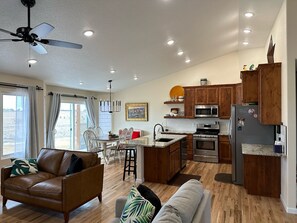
190	203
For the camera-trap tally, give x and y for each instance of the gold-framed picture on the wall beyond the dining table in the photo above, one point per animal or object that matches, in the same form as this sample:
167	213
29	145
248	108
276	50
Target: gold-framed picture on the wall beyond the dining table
136	111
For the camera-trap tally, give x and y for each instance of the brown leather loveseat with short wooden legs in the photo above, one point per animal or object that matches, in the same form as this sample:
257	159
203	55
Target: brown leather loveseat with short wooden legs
51	187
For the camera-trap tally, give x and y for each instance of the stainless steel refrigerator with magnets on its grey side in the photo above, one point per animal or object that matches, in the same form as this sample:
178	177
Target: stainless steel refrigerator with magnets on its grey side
245	128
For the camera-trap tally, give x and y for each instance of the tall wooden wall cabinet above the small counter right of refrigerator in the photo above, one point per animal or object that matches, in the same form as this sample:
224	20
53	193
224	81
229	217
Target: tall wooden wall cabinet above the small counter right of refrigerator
269	84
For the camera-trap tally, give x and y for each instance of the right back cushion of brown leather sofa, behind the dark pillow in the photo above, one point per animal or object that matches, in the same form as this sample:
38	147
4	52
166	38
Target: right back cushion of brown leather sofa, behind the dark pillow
89	159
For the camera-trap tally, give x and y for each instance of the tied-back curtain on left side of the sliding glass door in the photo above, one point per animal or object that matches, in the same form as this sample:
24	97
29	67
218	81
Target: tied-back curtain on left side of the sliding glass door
53	117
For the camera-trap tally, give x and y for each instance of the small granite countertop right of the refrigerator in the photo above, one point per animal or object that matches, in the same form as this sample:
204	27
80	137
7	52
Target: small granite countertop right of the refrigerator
259	150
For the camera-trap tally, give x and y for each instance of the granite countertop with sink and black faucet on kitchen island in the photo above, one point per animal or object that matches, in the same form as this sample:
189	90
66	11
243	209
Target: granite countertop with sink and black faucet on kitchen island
148	141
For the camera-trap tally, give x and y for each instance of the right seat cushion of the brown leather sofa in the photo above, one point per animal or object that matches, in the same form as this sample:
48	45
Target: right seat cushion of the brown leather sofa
51	188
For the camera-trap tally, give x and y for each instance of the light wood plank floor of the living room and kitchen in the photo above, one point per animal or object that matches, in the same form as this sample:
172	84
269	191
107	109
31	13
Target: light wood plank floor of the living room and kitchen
230	203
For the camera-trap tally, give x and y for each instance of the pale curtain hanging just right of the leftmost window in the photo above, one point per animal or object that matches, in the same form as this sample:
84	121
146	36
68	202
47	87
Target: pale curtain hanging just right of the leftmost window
31	149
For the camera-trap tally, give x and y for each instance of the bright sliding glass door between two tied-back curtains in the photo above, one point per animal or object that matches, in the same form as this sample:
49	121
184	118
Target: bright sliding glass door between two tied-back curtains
71	124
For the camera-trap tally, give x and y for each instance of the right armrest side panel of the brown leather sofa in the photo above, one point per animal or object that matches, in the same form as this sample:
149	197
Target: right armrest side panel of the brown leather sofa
80	187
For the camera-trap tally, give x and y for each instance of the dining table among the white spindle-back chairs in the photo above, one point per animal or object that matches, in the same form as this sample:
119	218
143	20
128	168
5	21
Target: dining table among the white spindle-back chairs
107	142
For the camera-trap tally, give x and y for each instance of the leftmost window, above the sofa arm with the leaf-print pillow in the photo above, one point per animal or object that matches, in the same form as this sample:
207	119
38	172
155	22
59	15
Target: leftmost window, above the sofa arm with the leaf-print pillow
14	122
